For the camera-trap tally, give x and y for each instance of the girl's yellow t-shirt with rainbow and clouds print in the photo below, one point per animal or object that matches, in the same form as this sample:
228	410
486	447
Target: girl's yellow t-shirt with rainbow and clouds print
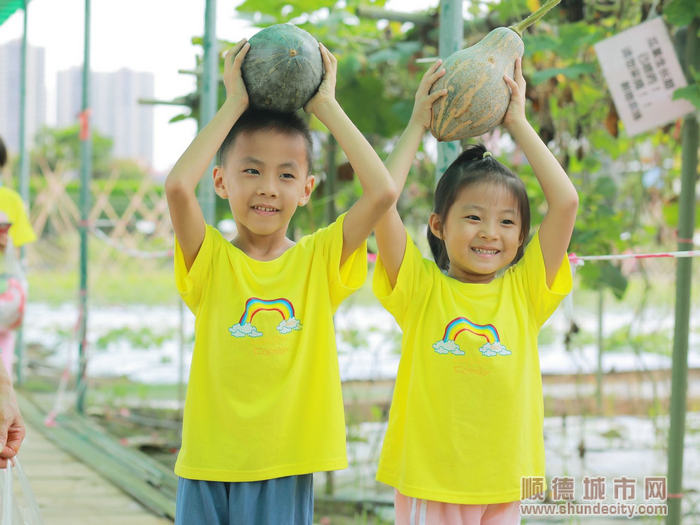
466	416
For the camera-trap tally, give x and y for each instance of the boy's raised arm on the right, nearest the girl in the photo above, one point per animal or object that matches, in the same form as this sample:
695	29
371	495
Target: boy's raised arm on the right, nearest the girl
378	191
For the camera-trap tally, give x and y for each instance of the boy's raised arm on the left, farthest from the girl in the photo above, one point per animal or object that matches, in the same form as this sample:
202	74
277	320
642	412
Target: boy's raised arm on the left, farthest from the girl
180	186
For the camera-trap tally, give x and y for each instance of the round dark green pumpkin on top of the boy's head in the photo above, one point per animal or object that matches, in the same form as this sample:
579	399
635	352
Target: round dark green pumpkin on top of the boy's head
283	68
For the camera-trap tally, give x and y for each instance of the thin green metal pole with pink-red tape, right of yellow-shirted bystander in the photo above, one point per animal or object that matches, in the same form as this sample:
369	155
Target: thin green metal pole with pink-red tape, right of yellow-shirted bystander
85	171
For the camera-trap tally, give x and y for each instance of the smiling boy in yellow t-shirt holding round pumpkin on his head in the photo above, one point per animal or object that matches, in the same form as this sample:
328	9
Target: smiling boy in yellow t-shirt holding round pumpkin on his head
264	407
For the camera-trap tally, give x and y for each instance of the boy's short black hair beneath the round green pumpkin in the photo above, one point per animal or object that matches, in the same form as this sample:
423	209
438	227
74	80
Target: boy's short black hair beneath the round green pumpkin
255	119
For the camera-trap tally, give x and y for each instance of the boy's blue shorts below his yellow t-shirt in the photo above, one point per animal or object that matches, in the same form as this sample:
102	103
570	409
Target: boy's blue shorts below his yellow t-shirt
280	501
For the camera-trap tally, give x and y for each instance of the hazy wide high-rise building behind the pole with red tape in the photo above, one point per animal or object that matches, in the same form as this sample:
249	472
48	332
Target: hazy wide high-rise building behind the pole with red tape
115	111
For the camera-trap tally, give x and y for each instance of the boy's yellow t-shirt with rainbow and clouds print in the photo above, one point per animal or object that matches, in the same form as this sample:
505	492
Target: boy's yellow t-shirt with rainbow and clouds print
264	397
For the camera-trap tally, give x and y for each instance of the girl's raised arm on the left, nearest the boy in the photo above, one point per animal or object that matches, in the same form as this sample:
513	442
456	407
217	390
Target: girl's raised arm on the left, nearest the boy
390	231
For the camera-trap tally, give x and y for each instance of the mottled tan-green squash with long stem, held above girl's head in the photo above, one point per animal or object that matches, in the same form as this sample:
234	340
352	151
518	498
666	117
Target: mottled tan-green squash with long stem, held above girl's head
477	96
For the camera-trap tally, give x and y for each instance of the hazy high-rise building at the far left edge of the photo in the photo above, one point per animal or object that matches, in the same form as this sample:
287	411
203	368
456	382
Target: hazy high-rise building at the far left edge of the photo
10	69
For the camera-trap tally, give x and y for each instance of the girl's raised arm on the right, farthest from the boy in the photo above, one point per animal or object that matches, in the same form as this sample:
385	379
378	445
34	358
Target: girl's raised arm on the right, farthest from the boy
562	199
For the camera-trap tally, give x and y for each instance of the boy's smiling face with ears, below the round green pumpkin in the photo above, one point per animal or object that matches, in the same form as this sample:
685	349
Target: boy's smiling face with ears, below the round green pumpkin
264	176
